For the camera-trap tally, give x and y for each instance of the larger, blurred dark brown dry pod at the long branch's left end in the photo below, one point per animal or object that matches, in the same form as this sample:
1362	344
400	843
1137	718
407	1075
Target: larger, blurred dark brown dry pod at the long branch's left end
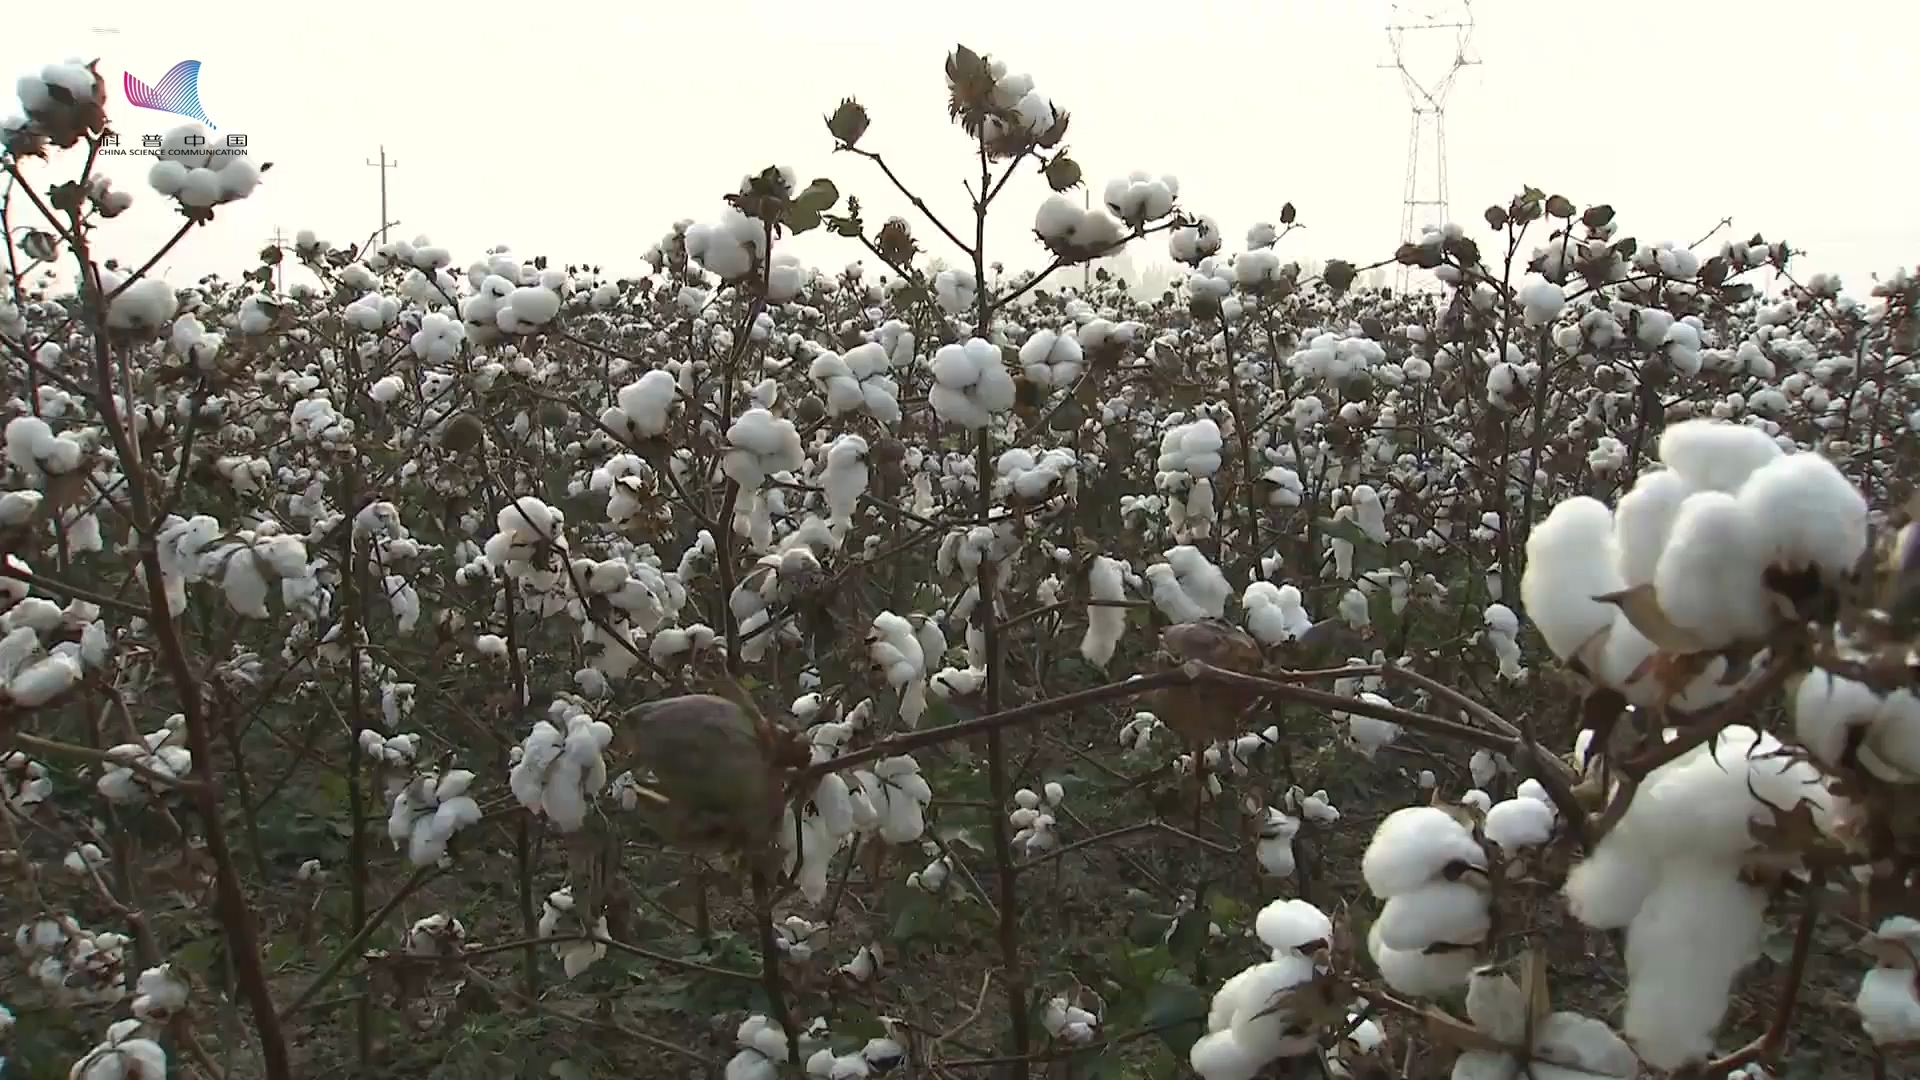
709	772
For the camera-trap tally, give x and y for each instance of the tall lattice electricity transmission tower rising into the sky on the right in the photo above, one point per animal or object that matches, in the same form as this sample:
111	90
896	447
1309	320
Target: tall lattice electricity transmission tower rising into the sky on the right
1412	28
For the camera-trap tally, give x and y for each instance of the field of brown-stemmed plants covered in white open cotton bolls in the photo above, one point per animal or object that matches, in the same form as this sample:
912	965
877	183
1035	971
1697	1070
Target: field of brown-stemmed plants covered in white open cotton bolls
489	666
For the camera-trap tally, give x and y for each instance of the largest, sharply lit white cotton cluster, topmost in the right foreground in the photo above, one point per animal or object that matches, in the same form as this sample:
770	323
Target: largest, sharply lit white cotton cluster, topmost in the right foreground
1702	533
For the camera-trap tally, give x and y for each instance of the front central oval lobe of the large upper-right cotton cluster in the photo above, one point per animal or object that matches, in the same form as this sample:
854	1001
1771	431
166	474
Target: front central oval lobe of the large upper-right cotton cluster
1712	576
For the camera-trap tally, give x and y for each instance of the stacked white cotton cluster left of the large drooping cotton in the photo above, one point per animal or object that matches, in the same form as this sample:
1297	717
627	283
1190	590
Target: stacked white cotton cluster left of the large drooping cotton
1429	870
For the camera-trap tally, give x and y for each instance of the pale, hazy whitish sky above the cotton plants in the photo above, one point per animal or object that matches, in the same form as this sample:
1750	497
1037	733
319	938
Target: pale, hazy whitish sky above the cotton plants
585	130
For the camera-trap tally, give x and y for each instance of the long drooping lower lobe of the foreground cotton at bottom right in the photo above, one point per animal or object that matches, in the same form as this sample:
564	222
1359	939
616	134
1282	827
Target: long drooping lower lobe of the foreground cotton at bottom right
1700	927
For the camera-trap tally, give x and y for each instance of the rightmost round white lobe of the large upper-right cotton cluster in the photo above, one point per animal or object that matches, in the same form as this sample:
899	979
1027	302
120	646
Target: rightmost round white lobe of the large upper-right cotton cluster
1808	512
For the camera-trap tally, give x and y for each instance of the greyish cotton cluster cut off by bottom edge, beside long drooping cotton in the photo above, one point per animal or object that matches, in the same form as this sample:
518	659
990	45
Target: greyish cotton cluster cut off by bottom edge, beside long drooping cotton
1548	1048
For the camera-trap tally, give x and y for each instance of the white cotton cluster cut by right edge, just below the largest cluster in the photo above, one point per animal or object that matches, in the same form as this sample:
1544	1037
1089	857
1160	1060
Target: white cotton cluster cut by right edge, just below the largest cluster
1835	714
